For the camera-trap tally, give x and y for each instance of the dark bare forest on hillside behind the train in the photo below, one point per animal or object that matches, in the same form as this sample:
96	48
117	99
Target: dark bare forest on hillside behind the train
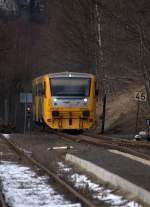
109	38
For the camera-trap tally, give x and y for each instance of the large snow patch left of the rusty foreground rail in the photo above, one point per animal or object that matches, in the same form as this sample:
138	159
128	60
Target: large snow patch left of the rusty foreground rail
22	187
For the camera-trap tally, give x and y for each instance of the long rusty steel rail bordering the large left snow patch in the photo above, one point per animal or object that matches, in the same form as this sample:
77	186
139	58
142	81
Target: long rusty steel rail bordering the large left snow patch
50	173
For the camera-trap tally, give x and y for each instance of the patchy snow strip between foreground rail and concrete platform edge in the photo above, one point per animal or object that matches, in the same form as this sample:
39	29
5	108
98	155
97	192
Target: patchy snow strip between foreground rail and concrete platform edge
99	192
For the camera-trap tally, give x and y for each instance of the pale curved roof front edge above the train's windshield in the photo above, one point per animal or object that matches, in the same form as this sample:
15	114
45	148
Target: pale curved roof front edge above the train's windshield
70	74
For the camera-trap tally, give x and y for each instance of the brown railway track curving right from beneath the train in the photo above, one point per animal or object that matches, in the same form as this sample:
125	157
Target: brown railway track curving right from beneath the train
111	143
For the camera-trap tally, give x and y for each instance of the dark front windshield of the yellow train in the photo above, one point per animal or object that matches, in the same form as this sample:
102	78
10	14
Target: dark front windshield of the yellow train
78	87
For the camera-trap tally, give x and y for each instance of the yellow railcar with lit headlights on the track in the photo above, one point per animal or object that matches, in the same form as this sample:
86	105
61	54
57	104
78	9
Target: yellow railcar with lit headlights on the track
64	100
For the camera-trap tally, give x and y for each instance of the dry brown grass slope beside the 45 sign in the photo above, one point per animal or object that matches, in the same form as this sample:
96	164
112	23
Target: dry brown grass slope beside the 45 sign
121	110
